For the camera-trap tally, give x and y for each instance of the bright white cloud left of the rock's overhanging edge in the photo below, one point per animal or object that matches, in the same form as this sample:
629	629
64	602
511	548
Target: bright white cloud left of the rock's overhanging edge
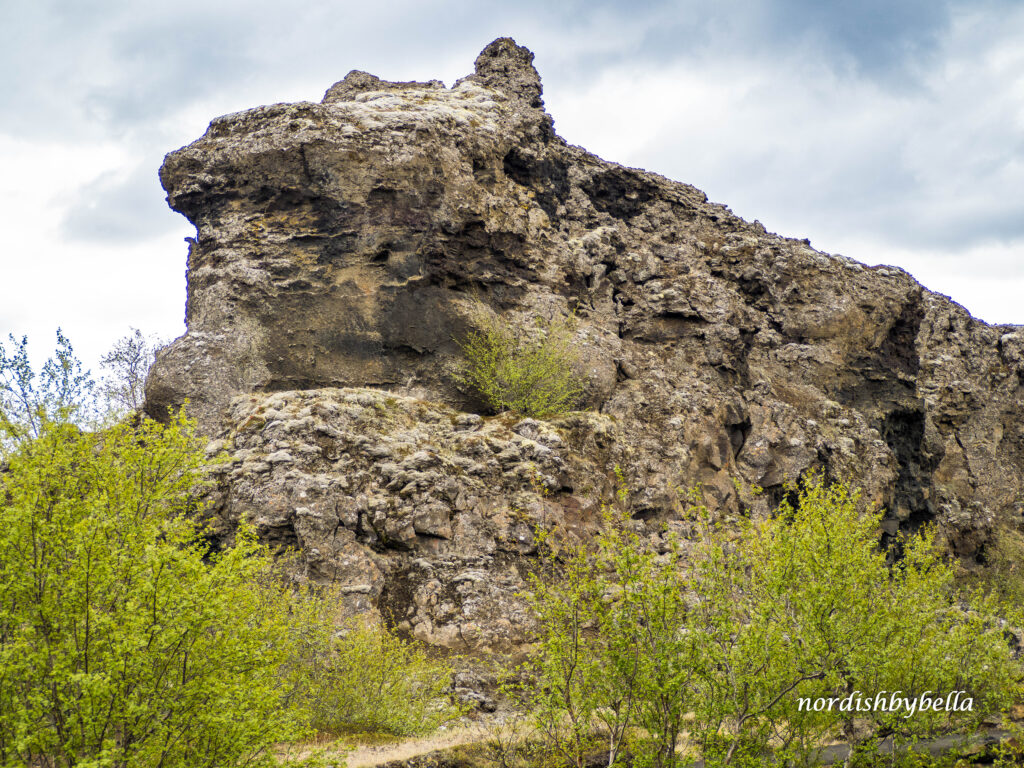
92	290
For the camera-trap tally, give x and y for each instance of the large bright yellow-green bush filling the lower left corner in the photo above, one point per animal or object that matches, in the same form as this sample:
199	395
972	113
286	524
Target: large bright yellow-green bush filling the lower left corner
124	642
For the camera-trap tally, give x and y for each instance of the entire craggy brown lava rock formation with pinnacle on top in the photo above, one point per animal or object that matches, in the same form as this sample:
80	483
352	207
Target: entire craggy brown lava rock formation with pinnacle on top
339	247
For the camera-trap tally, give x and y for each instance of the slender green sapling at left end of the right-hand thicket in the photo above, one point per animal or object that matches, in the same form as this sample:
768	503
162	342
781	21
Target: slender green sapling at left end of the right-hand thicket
614	656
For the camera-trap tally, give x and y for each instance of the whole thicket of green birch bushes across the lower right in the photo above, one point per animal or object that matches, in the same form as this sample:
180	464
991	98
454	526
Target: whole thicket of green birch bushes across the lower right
711	646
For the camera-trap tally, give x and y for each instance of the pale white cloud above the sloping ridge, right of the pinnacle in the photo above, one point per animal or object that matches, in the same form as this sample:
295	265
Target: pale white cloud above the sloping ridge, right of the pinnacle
925	176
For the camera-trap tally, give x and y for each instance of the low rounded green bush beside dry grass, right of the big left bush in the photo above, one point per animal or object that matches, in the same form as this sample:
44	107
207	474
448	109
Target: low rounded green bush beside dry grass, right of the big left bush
368	679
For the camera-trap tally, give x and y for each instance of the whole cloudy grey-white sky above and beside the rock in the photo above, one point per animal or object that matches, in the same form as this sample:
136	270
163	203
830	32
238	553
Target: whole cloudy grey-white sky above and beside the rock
888	131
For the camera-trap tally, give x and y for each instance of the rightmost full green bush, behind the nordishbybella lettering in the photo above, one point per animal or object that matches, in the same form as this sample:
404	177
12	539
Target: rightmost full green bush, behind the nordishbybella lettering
817	573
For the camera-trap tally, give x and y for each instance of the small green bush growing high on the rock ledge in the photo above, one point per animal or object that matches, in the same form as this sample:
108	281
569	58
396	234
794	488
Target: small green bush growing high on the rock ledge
531	371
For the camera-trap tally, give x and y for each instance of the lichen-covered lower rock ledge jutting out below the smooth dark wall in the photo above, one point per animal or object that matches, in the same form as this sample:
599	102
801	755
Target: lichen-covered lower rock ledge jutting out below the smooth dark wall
424	514
